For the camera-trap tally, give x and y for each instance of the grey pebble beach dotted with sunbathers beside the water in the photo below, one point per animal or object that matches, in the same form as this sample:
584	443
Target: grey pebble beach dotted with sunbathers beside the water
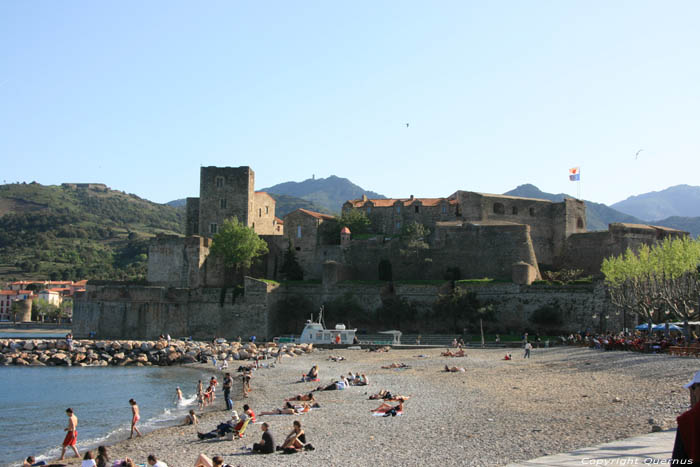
494	413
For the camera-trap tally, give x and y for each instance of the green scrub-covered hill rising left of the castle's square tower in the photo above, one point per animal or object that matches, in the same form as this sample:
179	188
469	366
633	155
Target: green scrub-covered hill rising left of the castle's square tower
71	233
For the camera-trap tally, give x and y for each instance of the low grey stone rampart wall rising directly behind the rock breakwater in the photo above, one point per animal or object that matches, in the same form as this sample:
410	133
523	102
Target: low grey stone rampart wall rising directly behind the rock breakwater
134	312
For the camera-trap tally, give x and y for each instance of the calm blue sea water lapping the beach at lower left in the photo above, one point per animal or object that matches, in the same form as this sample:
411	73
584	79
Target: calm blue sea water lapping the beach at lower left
34	400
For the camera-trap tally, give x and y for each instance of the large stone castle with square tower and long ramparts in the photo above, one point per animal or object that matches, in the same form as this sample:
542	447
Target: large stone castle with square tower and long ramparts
472	235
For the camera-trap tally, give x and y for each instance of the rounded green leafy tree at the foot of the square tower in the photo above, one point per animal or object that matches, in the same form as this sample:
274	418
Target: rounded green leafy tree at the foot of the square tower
237	245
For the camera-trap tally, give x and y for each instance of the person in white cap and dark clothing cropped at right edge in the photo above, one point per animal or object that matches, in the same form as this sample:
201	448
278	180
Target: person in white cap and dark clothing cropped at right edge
687	444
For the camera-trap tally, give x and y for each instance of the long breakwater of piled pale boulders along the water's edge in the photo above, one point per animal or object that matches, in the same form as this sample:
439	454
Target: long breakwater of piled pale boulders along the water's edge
52	352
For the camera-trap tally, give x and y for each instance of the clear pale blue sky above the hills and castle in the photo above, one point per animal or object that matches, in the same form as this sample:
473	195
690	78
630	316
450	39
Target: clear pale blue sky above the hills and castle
138	94
